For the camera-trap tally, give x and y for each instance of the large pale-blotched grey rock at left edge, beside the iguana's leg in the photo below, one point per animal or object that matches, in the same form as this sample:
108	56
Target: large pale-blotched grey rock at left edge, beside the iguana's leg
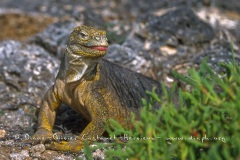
26	72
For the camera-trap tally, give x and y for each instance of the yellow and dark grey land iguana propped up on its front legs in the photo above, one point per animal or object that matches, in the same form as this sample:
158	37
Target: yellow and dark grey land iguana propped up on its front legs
93	86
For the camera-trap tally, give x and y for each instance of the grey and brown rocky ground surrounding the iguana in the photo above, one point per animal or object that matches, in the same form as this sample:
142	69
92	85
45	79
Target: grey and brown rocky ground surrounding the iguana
151	37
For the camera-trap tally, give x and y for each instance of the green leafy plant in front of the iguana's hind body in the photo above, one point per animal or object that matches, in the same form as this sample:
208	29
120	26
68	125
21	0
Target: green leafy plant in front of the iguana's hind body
205	124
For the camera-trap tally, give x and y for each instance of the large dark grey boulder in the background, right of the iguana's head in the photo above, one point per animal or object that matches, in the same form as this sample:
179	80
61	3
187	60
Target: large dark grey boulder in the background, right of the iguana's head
177	27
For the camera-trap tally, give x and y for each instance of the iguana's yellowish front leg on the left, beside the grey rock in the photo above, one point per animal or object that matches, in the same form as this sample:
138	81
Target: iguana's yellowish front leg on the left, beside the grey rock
47	115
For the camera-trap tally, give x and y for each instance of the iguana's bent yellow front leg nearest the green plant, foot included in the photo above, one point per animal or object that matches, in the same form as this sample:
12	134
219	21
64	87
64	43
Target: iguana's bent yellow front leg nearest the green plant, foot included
94	129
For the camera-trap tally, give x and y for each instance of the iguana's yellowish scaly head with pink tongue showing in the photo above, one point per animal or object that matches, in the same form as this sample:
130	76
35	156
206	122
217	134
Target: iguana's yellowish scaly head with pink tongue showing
87	41
